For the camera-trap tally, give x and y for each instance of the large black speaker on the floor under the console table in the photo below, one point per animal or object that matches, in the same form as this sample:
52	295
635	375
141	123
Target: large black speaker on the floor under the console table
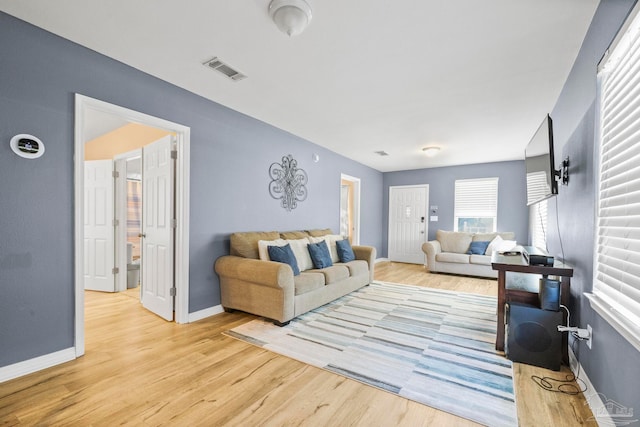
533	337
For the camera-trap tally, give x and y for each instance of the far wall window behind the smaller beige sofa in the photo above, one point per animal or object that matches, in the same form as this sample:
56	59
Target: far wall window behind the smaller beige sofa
476	205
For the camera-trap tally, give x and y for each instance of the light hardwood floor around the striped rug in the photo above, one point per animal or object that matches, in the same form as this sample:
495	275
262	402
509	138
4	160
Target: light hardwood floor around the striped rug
140	370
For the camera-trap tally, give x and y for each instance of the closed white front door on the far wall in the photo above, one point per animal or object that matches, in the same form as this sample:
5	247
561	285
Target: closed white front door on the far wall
407	223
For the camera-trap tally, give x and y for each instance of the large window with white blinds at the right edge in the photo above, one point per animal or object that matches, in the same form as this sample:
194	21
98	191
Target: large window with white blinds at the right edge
616	287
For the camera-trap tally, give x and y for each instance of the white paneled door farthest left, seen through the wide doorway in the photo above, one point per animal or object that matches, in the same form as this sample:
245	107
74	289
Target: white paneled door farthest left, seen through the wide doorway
98	226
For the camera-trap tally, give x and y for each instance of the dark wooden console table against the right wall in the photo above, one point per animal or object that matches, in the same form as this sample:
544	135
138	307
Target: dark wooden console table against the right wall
528	294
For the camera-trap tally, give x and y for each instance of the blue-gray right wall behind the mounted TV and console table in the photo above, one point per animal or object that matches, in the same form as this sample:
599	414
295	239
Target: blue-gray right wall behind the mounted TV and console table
612	365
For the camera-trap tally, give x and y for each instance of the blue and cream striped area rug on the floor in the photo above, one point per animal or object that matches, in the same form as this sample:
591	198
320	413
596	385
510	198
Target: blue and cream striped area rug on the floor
431	346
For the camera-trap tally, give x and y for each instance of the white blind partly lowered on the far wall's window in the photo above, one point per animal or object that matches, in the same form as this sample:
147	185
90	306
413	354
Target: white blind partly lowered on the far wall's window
476	198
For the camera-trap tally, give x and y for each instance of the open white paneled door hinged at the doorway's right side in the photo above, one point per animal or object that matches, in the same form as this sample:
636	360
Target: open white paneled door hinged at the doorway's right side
157	230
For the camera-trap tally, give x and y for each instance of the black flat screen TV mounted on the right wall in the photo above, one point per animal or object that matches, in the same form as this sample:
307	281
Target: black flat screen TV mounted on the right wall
538	159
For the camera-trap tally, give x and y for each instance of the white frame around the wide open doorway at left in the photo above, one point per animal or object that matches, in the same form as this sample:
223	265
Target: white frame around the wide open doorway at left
181	248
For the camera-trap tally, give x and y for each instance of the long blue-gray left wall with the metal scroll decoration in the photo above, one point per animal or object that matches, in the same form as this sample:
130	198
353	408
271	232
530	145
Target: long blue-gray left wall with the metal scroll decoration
230	157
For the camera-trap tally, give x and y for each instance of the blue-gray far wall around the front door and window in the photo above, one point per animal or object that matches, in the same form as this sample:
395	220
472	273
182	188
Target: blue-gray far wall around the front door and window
513	214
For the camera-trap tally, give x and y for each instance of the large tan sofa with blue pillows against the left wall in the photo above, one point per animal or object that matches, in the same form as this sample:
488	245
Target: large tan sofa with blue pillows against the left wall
270	289
